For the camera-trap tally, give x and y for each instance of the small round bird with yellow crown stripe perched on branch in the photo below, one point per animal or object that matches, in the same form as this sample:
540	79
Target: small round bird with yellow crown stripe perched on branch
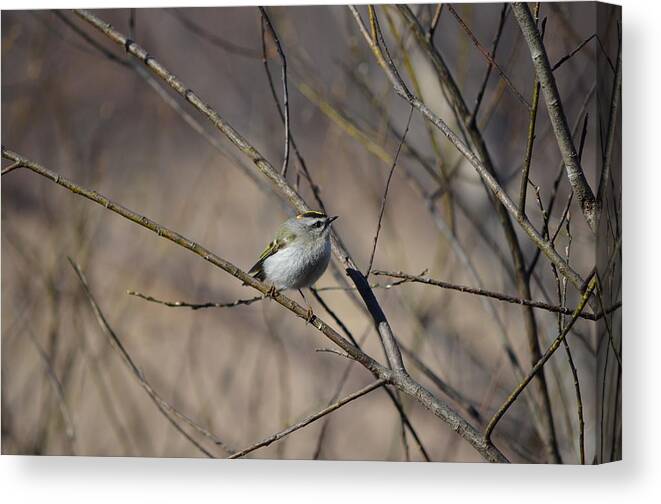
298	255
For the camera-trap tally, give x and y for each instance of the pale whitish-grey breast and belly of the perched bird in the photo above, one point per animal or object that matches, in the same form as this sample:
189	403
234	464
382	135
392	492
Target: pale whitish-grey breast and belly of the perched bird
298	265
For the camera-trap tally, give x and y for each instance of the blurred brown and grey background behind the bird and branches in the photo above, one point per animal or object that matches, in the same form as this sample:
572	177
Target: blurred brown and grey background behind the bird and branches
76	103
